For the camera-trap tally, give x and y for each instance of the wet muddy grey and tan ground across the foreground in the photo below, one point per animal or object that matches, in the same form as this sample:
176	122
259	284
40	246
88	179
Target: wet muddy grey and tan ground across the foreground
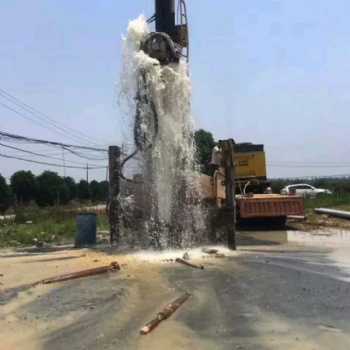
280	290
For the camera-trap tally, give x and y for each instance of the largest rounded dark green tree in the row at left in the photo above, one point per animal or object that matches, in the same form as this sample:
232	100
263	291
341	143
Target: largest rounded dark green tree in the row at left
51	190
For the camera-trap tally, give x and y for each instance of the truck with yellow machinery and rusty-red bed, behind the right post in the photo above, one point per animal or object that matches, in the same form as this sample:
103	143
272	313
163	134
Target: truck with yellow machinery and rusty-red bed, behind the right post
253	196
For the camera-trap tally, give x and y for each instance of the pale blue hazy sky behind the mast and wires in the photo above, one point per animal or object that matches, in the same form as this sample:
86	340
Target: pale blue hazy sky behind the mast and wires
275	72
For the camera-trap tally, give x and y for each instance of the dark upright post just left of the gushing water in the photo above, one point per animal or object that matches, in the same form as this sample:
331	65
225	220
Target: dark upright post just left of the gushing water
114	166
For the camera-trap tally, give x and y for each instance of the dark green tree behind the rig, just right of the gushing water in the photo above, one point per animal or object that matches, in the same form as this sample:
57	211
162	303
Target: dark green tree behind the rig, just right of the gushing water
204	144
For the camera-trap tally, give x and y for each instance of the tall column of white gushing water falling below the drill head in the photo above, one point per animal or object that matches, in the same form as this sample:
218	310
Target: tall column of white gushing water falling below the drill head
167	195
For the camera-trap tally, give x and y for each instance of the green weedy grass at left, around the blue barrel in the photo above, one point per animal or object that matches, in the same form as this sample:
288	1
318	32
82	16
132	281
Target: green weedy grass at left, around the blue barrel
52	225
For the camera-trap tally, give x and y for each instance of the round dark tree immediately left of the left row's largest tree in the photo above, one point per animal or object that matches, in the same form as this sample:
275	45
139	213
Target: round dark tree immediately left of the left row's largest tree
23	185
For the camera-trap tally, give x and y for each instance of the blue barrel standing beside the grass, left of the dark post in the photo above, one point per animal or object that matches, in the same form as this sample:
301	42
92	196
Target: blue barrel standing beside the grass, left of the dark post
86	226
